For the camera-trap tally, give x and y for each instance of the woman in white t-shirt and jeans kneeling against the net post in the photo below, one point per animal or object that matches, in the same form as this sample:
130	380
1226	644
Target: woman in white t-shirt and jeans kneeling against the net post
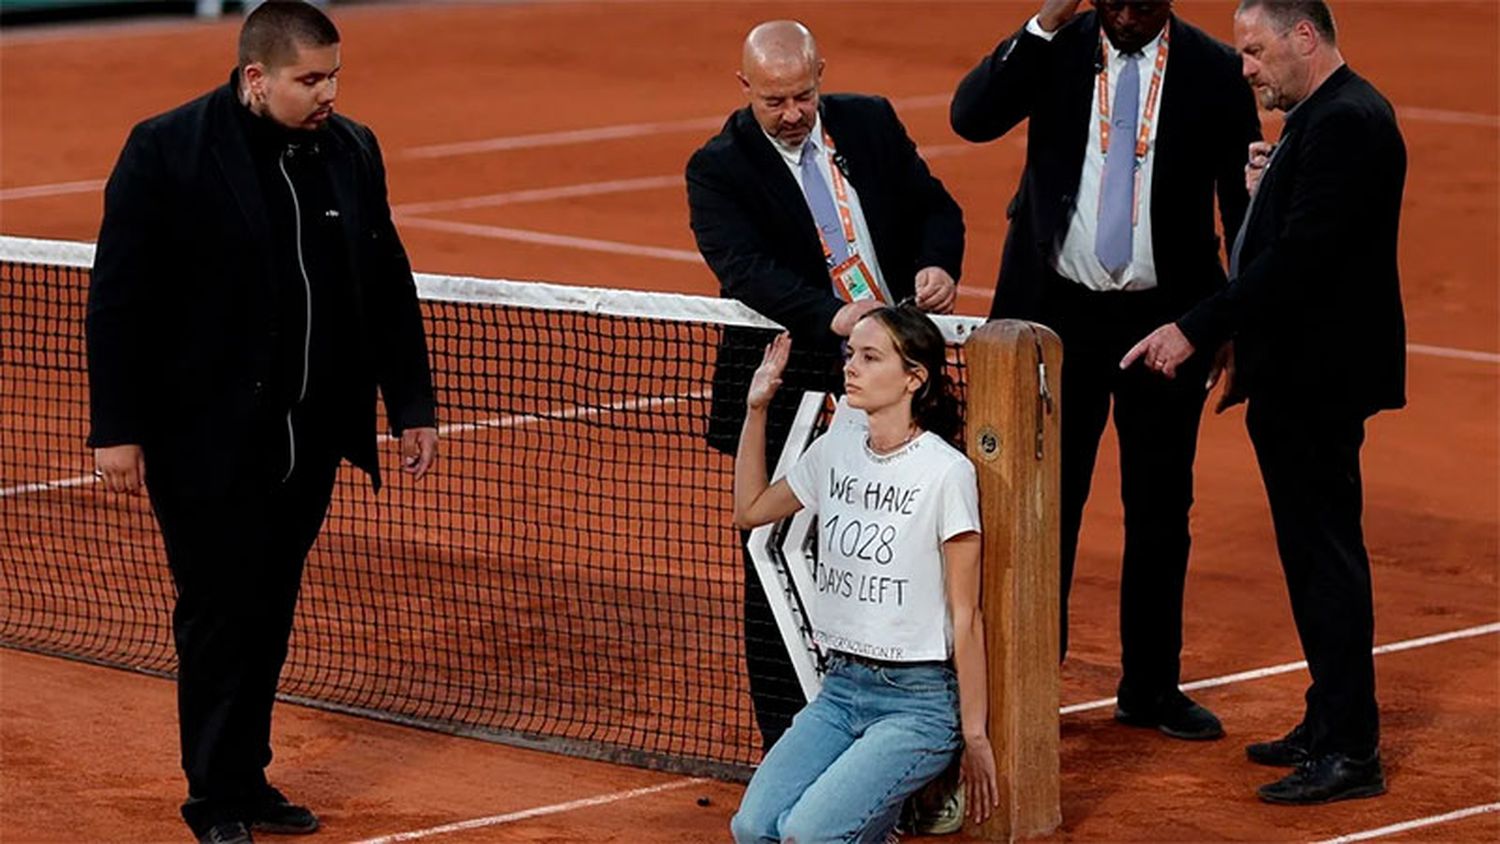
898	600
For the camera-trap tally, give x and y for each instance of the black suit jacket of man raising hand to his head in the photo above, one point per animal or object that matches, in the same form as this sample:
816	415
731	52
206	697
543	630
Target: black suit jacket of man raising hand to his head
1205	128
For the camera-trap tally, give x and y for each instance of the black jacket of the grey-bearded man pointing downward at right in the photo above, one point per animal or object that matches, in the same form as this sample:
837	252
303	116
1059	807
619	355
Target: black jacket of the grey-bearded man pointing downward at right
1316	310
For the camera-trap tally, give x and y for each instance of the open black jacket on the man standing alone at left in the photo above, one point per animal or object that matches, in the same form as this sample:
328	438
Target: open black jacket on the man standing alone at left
181	322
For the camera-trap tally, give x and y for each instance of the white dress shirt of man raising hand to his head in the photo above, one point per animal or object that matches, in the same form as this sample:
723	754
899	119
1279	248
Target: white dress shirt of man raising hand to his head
1076	260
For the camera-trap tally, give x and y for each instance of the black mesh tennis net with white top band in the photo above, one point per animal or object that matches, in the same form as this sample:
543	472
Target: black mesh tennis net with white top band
569	579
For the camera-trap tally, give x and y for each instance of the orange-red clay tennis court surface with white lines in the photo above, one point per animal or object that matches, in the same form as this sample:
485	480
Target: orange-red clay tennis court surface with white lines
547	142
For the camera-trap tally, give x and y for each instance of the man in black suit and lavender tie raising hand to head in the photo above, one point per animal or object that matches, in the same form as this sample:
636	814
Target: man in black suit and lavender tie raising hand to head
1136	122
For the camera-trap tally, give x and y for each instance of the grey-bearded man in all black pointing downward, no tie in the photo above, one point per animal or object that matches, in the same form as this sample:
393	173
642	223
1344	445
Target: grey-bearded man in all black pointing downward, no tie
1315	311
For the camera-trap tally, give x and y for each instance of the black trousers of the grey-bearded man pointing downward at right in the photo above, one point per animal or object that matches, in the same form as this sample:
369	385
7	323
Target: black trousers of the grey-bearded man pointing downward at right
1310	462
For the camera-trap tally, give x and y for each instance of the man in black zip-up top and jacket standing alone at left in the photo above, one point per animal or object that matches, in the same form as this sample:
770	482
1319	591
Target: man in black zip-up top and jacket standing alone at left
248	296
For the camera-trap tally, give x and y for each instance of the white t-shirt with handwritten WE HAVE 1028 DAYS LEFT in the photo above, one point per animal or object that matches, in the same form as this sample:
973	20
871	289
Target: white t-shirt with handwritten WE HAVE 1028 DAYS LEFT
881	525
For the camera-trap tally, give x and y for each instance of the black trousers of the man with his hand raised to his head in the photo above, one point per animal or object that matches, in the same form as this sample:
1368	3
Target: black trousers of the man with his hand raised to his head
1157	422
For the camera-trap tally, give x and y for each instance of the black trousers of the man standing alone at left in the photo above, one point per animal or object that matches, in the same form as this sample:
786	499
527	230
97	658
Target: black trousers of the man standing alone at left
236	552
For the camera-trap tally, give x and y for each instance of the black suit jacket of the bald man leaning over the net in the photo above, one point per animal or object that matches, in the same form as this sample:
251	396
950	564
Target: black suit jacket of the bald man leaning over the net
754	229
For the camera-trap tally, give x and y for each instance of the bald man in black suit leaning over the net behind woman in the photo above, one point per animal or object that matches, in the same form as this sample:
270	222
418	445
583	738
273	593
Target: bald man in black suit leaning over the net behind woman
812	211
